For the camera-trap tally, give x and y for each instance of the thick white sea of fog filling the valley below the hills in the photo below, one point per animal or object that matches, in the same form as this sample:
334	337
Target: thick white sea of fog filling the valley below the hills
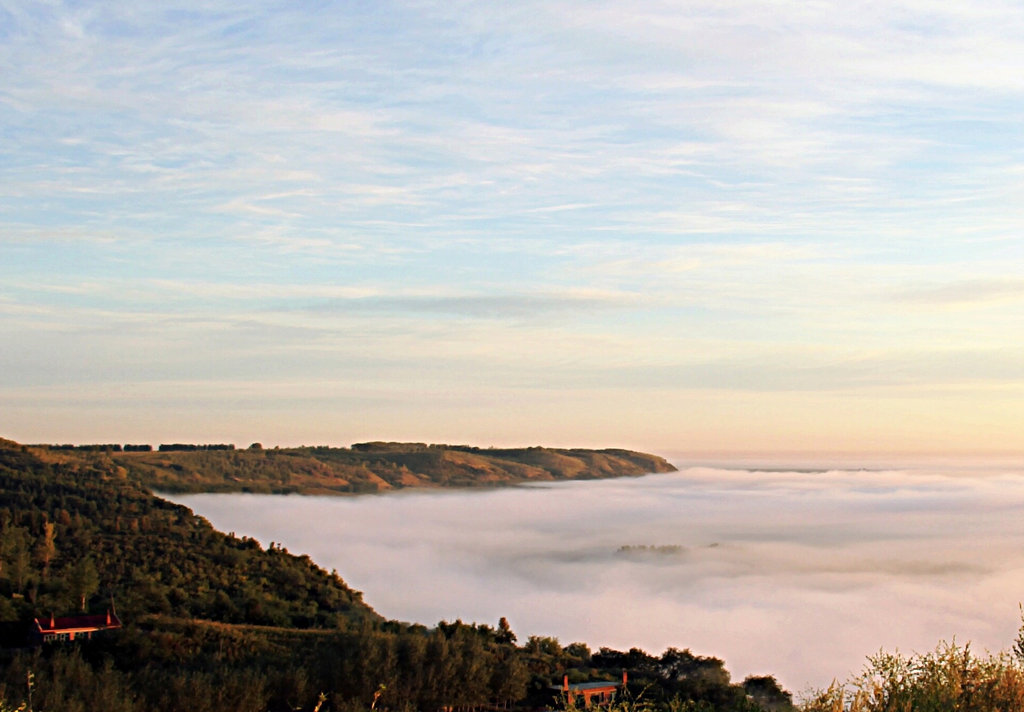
800	574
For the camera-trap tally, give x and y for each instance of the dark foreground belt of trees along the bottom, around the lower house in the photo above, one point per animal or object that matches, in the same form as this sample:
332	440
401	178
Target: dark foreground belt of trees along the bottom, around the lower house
199	665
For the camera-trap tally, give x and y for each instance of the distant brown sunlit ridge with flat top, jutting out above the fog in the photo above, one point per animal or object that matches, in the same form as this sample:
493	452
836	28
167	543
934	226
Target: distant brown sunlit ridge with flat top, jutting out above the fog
364	468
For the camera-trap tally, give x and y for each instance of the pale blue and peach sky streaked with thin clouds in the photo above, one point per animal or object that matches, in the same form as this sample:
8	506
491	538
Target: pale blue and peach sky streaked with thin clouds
701	227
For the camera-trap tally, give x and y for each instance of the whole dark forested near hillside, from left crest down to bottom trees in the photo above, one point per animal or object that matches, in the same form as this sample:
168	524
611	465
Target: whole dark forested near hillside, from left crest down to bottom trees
216	623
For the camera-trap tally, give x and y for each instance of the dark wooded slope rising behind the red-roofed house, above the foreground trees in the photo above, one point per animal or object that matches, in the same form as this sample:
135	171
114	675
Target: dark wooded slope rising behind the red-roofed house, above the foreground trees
80	534
